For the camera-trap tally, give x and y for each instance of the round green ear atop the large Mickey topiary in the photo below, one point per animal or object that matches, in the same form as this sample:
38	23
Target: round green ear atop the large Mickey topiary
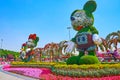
90	6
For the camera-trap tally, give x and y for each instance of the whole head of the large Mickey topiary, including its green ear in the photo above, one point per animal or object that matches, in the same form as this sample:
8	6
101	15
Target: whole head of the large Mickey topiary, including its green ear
83	18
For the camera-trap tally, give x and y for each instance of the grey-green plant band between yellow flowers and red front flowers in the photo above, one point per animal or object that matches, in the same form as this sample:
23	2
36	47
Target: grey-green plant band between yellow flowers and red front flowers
88	73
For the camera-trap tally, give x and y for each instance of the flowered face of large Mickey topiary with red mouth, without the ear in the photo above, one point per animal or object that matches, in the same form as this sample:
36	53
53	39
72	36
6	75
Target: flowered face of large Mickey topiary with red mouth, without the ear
80	20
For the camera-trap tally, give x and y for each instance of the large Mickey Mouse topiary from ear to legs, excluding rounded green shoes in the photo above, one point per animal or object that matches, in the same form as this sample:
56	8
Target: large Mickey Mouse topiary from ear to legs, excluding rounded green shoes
87	37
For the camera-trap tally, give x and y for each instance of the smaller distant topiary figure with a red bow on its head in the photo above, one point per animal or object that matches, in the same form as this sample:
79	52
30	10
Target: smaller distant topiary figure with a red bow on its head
27	48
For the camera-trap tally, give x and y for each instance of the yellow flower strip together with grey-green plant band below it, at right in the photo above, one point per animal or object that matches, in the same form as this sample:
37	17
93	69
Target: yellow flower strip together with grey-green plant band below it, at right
96	70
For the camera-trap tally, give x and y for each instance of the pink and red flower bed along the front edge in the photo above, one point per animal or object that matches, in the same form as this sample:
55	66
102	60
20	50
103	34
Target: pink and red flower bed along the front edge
45	74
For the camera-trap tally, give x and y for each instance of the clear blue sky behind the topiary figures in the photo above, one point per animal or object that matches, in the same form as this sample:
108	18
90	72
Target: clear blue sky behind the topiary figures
49	19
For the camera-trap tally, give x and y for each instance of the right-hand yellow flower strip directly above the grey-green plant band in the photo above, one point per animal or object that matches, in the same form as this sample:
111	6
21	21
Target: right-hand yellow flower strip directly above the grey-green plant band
86	67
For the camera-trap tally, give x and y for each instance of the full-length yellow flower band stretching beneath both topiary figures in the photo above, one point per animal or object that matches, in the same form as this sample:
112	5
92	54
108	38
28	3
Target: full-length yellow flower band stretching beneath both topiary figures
64	66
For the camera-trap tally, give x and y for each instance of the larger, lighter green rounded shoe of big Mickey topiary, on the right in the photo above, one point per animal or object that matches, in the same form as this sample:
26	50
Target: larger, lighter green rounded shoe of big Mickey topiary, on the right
88	60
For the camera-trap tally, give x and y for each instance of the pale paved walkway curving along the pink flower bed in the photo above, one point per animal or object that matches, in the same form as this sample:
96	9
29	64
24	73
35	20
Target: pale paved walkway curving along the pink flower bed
4	75
